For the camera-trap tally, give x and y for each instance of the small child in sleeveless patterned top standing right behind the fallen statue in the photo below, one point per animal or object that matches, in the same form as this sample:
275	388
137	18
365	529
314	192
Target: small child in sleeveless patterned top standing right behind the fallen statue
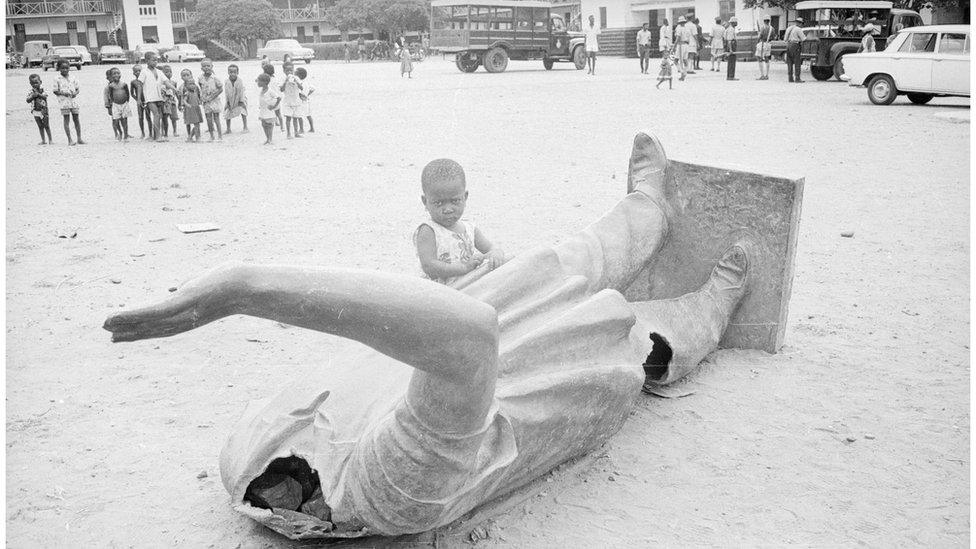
448	247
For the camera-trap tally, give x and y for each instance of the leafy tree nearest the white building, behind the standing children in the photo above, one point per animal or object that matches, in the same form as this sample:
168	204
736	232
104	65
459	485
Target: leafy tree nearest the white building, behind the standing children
236	21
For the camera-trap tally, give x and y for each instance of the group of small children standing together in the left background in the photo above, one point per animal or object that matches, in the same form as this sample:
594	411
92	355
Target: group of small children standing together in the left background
160	101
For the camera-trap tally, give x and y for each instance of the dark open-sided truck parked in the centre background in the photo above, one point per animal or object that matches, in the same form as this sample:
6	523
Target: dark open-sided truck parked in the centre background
489	33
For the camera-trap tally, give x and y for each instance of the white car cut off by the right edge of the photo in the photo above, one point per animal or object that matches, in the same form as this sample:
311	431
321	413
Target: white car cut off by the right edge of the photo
920	62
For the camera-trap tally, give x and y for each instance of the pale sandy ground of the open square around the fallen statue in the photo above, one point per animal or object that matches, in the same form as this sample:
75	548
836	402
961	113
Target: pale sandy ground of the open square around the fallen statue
105	441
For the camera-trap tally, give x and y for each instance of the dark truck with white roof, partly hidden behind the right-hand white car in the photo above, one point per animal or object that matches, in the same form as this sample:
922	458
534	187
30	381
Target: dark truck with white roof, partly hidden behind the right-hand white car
846	18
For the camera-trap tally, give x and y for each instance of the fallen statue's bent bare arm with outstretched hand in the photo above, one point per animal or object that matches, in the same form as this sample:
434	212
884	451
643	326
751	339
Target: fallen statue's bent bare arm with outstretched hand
454	352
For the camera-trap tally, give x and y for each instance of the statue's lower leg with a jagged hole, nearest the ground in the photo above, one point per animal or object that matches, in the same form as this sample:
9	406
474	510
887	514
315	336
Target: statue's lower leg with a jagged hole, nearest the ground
686	329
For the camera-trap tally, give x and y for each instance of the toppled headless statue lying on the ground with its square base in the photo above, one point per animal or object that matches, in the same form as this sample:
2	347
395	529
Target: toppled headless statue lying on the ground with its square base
464	394
